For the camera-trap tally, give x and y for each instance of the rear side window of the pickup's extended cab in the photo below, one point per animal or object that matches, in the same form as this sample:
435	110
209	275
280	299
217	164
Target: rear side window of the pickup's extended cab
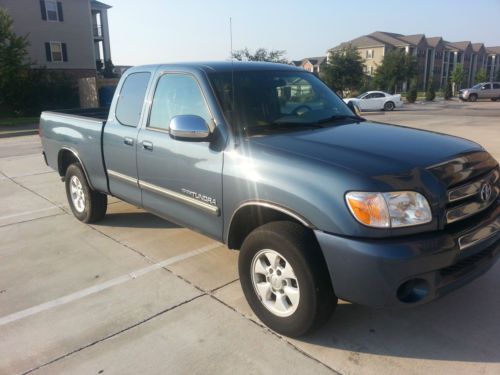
131	99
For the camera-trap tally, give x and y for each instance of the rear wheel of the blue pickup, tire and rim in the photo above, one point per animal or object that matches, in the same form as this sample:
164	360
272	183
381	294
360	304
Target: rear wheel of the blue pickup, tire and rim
87	205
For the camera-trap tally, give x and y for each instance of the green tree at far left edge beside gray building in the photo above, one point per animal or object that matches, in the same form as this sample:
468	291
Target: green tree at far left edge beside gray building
14	63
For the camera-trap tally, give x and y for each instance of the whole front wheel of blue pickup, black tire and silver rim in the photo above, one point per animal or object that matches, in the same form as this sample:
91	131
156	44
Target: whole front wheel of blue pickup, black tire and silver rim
307	296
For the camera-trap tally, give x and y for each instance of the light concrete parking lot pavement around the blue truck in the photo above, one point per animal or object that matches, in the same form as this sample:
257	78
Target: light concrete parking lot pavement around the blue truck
137	294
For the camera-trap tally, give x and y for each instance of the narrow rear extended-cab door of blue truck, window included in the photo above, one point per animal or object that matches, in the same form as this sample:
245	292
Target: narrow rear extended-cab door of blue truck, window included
120	134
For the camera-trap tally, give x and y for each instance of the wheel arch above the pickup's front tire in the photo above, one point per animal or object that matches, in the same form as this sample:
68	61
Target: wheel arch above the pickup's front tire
252	214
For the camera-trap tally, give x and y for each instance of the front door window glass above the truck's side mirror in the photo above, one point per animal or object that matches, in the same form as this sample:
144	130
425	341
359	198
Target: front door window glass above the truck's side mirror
177	94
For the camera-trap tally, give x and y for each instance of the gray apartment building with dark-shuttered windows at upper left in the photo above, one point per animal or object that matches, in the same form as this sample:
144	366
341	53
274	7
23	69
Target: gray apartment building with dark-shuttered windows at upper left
65	35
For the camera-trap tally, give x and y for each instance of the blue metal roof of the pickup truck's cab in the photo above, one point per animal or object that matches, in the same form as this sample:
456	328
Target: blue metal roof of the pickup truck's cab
224	66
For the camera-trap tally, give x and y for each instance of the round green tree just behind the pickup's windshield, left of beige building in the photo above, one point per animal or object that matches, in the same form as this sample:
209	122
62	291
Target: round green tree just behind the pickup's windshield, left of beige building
344	70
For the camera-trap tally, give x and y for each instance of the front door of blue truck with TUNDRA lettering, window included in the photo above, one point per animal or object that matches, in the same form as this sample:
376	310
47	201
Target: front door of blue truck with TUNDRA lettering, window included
181	180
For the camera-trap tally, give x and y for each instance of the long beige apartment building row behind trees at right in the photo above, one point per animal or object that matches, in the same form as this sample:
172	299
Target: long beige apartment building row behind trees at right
436	58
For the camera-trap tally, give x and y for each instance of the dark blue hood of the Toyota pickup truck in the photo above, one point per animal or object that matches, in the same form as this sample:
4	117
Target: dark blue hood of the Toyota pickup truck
368	148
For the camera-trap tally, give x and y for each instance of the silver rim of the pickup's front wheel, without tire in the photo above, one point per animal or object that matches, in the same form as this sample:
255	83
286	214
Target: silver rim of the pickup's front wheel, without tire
275	283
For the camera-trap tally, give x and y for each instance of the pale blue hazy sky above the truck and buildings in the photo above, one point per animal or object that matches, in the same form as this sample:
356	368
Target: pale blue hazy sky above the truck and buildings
154	31
